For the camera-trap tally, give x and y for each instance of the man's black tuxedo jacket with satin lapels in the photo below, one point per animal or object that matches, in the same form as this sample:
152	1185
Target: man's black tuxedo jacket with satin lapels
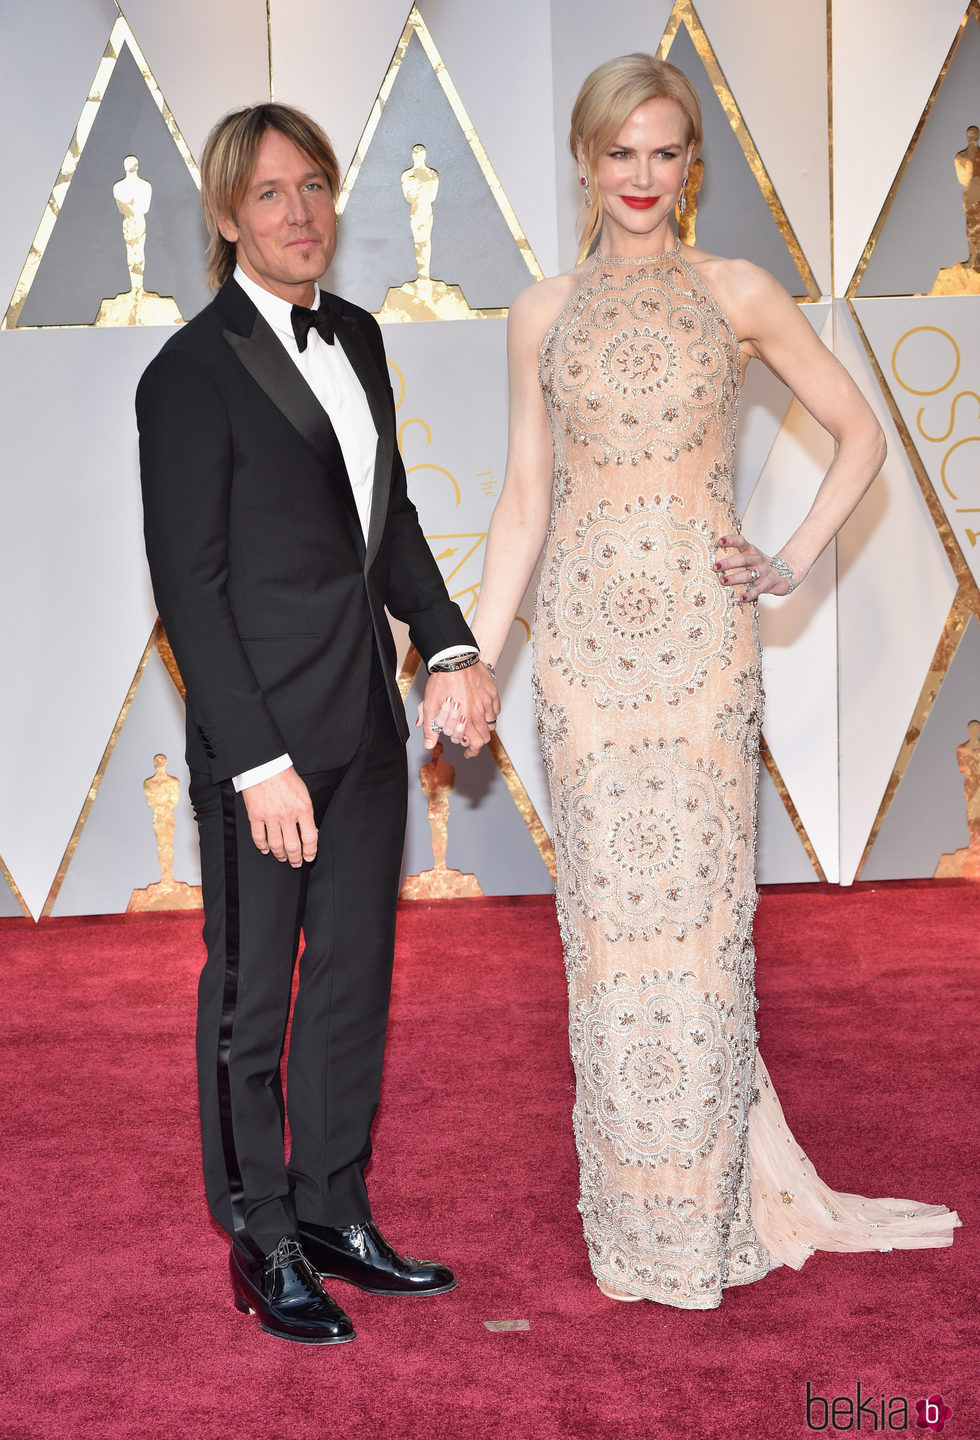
273	601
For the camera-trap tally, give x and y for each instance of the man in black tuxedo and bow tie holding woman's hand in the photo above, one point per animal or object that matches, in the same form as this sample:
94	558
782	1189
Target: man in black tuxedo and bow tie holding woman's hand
278	529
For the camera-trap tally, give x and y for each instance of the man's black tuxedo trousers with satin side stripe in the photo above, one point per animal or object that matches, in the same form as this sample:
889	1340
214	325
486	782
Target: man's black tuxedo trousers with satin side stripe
345	904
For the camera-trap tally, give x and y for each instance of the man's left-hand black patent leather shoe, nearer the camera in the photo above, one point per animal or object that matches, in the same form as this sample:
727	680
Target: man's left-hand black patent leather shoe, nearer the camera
286	1292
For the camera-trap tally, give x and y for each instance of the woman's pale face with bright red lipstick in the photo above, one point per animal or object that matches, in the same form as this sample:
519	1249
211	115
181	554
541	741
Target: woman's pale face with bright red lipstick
641	175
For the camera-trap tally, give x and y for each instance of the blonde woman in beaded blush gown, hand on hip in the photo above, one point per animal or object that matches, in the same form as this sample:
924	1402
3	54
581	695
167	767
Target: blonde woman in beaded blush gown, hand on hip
625	379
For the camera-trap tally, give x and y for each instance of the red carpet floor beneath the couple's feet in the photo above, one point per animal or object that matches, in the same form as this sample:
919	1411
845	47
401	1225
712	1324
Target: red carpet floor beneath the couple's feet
119	1321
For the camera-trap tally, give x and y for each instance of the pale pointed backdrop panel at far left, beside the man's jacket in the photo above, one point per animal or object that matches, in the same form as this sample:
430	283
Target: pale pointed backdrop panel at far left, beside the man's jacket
74	585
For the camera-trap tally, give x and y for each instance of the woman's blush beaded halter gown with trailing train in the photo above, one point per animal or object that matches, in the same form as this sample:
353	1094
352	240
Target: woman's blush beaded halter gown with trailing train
648	698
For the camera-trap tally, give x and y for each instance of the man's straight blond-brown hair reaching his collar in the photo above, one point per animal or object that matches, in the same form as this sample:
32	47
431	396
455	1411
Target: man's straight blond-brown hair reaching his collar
230	161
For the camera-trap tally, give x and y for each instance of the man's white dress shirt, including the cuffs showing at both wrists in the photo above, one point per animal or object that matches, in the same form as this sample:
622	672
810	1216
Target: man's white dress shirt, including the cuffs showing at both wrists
332	378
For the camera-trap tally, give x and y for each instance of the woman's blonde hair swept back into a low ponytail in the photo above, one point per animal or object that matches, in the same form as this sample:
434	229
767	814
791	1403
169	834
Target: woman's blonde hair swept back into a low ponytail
609	96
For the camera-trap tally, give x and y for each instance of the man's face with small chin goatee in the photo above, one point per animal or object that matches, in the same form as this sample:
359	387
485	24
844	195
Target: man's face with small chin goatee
286	231
